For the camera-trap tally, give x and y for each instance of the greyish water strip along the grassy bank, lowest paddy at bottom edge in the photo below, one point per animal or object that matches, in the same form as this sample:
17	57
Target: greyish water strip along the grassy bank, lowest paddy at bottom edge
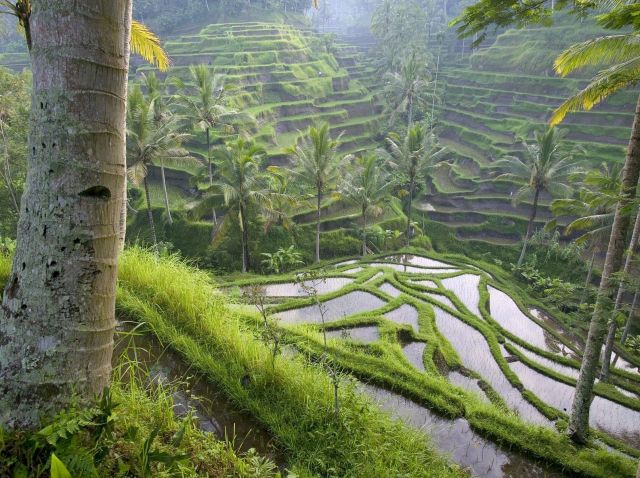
457	439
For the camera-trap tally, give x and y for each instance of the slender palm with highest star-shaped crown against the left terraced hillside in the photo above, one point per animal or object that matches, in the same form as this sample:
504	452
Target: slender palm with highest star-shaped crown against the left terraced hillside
205	101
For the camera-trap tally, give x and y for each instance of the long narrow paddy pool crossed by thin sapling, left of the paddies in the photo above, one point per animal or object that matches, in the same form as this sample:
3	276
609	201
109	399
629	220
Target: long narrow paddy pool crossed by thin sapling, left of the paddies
336	309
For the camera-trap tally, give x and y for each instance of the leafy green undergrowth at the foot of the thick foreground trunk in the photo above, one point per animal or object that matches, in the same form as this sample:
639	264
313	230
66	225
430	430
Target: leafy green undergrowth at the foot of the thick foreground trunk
132	431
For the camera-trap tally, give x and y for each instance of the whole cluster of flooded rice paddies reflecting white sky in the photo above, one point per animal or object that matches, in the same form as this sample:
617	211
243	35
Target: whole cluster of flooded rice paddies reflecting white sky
455	437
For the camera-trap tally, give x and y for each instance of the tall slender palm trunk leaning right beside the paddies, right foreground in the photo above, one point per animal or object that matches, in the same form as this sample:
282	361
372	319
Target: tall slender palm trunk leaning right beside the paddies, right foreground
579	422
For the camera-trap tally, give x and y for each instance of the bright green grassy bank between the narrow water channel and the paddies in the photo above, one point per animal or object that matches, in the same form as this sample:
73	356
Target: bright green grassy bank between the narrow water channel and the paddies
290	397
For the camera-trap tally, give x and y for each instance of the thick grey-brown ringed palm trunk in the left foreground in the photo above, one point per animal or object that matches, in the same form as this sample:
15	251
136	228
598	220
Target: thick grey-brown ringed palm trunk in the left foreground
58	309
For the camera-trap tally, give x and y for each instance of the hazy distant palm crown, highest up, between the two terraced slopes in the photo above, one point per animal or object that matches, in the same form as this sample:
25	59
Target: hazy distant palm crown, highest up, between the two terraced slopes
406	88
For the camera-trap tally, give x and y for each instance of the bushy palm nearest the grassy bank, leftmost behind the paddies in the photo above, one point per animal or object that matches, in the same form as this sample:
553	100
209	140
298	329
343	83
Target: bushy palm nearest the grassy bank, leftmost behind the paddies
243	185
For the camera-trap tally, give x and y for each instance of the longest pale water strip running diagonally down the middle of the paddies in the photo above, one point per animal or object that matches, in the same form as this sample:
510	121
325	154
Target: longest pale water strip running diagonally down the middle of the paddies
475	354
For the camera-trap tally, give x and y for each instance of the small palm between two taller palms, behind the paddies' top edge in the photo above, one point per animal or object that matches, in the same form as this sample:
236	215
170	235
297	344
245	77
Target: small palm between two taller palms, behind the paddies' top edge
369	187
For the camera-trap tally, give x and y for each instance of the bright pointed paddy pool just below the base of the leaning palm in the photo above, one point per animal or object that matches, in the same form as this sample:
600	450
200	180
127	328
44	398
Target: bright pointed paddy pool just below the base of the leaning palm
506	312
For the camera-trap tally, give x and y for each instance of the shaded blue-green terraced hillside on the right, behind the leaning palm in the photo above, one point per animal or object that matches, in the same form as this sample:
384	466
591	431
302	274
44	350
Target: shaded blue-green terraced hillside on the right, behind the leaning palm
500	95
